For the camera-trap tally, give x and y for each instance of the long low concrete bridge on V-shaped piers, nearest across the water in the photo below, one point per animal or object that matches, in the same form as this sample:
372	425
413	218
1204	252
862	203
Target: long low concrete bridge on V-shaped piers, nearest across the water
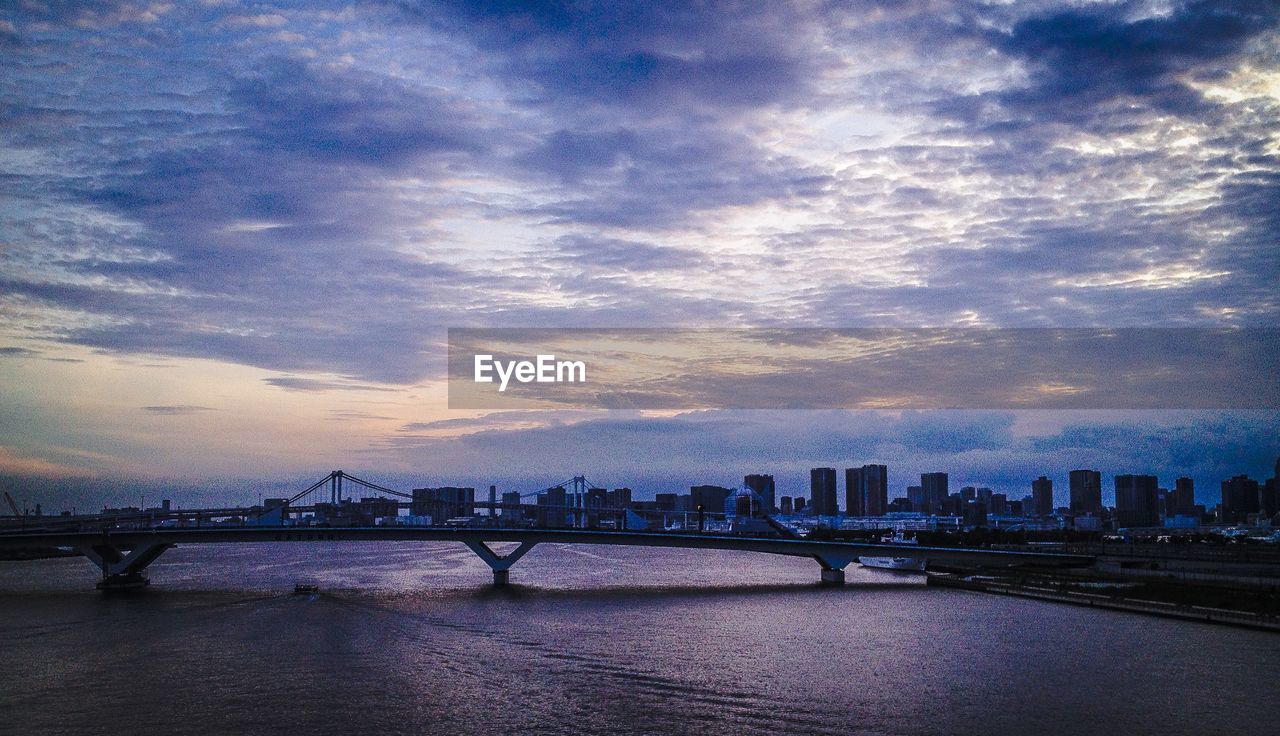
124	556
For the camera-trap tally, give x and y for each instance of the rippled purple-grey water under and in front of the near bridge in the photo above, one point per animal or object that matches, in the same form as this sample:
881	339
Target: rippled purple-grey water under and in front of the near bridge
412	639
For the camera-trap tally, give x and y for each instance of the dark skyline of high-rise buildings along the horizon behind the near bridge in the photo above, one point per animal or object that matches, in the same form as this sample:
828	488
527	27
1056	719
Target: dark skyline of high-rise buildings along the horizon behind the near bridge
863	502
